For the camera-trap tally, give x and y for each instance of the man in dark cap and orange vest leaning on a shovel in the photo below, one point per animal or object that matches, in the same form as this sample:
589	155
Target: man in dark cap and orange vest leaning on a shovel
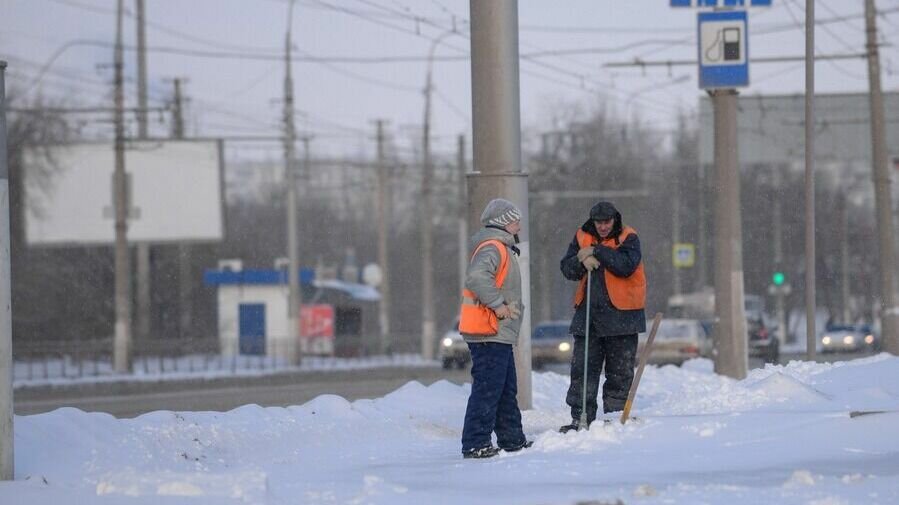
611	252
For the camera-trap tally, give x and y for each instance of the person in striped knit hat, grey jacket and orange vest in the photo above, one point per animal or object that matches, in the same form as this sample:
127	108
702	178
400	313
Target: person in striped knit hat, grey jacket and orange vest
490	321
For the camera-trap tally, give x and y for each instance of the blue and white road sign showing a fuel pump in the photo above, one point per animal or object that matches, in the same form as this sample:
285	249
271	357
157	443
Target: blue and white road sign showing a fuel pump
723	49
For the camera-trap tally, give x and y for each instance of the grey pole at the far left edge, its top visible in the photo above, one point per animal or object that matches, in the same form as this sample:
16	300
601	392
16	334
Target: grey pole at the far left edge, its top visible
6	396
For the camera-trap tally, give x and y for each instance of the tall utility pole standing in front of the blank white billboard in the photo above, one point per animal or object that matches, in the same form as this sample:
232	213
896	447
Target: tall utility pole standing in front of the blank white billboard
122	342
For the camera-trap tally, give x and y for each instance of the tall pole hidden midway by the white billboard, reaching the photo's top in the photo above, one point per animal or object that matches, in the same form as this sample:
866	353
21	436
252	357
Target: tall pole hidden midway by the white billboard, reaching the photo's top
144	292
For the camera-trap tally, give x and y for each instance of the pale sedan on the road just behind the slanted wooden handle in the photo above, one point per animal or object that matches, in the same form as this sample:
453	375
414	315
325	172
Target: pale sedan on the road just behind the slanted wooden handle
678	340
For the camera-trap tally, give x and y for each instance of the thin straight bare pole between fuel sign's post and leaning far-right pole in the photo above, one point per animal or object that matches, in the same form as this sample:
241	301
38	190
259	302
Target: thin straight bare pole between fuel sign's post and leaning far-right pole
810	261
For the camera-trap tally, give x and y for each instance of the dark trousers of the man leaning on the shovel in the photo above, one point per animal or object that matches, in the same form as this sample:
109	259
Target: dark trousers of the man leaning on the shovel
618	356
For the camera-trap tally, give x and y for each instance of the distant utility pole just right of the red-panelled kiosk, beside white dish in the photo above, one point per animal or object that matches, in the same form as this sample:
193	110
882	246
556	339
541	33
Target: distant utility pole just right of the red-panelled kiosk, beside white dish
383	238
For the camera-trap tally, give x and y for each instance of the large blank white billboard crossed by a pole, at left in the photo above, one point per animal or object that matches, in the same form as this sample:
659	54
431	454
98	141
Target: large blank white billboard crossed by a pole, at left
175	192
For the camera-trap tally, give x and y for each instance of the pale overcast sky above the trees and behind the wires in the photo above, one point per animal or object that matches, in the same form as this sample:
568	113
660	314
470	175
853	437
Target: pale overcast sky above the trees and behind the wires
375	64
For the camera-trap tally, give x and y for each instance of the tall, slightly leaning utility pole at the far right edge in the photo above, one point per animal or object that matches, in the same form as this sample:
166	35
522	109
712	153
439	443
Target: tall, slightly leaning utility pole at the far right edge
889	308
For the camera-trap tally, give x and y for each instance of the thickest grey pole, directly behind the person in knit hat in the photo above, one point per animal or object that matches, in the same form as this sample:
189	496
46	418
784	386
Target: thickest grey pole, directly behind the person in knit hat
497	145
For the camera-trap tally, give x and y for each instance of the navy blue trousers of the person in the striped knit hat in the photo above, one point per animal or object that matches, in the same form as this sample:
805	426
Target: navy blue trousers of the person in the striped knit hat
492	405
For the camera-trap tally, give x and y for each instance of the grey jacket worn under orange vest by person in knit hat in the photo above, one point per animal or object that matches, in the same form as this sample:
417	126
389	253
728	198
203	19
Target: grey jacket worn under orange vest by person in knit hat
480	278
